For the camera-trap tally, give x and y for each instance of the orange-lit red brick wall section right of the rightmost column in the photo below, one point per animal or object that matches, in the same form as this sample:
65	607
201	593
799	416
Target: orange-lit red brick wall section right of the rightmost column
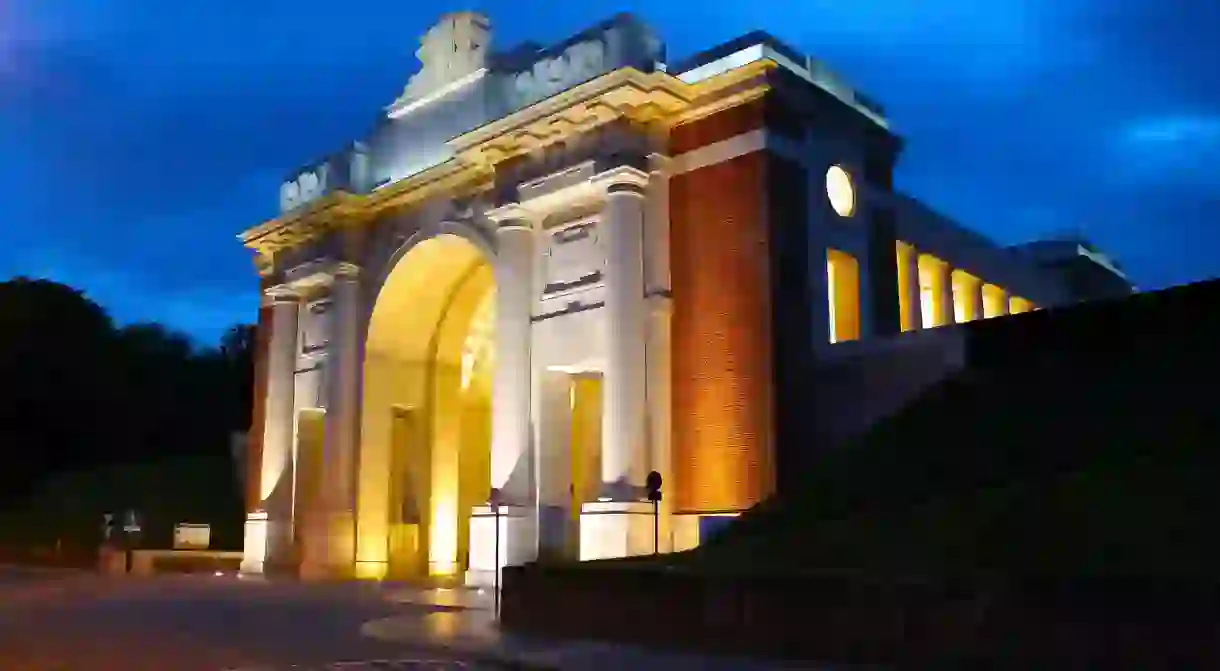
723	341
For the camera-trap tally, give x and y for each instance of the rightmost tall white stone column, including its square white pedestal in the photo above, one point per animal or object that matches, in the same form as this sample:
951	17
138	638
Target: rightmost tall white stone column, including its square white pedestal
619	524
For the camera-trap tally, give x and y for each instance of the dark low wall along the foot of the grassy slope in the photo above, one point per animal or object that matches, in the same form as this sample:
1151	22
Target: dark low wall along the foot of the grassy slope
844	619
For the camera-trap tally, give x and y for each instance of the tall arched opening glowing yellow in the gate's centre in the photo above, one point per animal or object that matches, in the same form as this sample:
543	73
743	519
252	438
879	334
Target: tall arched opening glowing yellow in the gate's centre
426	422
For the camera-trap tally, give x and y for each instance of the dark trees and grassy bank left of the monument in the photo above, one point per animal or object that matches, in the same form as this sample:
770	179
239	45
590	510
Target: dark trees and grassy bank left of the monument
96	417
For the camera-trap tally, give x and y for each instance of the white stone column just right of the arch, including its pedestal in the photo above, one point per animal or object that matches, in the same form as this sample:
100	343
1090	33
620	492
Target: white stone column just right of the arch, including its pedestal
513	469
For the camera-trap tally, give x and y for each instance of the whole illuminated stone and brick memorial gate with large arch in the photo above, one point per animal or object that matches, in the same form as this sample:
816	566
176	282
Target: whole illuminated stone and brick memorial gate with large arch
548	273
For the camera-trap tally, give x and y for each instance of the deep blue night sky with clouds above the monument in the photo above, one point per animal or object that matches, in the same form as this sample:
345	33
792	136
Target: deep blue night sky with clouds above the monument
138	137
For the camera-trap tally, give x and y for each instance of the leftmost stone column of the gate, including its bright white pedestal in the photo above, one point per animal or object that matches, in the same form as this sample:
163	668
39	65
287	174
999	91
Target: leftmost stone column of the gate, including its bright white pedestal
269	531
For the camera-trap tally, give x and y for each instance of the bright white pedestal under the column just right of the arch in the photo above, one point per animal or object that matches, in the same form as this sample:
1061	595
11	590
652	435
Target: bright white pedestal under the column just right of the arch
517	536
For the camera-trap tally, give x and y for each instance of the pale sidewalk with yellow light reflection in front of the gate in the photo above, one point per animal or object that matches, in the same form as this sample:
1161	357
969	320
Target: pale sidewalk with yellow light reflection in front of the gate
463	623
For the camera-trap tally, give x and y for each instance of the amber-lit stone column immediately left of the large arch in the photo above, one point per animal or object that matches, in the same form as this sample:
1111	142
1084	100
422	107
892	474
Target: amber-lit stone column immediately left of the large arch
331	547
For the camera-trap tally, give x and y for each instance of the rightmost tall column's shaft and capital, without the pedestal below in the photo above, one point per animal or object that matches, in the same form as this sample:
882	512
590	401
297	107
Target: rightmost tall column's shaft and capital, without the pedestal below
624	430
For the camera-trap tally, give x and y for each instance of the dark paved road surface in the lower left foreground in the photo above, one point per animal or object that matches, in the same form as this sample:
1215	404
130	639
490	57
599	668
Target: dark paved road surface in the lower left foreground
85	623
